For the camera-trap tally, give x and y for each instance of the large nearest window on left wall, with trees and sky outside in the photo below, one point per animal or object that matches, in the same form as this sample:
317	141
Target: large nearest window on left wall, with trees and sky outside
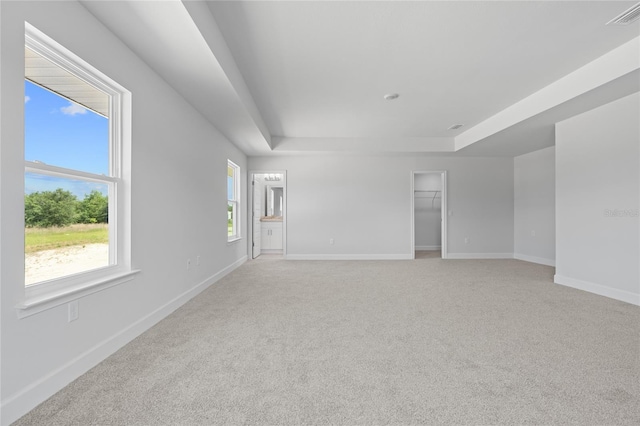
76	170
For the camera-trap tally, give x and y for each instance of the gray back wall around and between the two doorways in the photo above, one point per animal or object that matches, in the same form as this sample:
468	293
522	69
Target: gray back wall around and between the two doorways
364	204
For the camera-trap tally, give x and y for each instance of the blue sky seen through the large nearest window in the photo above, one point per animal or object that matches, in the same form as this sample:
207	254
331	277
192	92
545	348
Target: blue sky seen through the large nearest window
61	133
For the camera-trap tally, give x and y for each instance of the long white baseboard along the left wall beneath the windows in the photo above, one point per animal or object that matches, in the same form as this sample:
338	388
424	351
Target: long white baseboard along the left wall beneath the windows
24	401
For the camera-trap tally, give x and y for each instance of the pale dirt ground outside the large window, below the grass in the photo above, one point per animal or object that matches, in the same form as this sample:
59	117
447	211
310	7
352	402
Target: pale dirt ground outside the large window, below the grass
55	263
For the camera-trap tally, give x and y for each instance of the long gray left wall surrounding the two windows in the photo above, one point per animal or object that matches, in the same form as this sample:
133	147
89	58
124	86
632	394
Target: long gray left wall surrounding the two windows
179	165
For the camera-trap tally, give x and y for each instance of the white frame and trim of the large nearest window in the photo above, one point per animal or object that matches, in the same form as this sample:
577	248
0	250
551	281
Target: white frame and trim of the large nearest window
47	294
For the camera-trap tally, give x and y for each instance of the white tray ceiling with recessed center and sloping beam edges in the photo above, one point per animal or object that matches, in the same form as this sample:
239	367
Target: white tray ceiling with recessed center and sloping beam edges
310	76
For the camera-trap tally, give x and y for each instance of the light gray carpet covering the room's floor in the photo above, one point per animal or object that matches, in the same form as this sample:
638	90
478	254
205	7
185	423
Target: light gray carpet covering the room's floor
368	343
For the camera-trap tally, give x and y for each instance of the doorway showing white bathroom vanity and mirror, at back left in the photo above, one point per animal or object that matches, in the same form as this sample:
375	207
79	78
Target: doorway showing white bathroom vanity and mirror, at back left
268	213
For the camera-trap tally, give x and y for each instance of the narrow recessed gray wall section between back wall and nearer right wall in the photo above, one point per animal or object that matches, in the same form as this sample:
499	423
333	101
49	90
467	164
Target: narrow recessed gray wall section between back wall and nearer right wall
534	207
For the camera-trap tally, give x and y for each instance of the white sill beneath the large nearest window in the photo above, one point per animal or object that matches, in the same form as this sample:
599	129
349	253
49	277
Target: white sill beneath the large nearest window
42	302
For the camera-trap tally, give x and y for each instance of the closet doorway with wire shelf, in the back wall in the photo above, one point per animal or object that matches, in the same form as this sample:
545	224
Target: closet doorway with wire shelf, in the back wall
429	214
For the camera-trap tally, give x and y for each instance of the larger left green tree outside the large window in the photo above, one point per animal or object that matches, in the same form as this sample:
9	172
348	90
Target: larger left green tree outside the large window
50	208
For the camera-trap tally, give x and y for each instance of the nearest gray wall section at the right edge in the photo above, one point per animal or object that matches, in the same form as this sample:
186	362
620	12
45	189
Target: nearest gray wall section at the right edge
597	200
